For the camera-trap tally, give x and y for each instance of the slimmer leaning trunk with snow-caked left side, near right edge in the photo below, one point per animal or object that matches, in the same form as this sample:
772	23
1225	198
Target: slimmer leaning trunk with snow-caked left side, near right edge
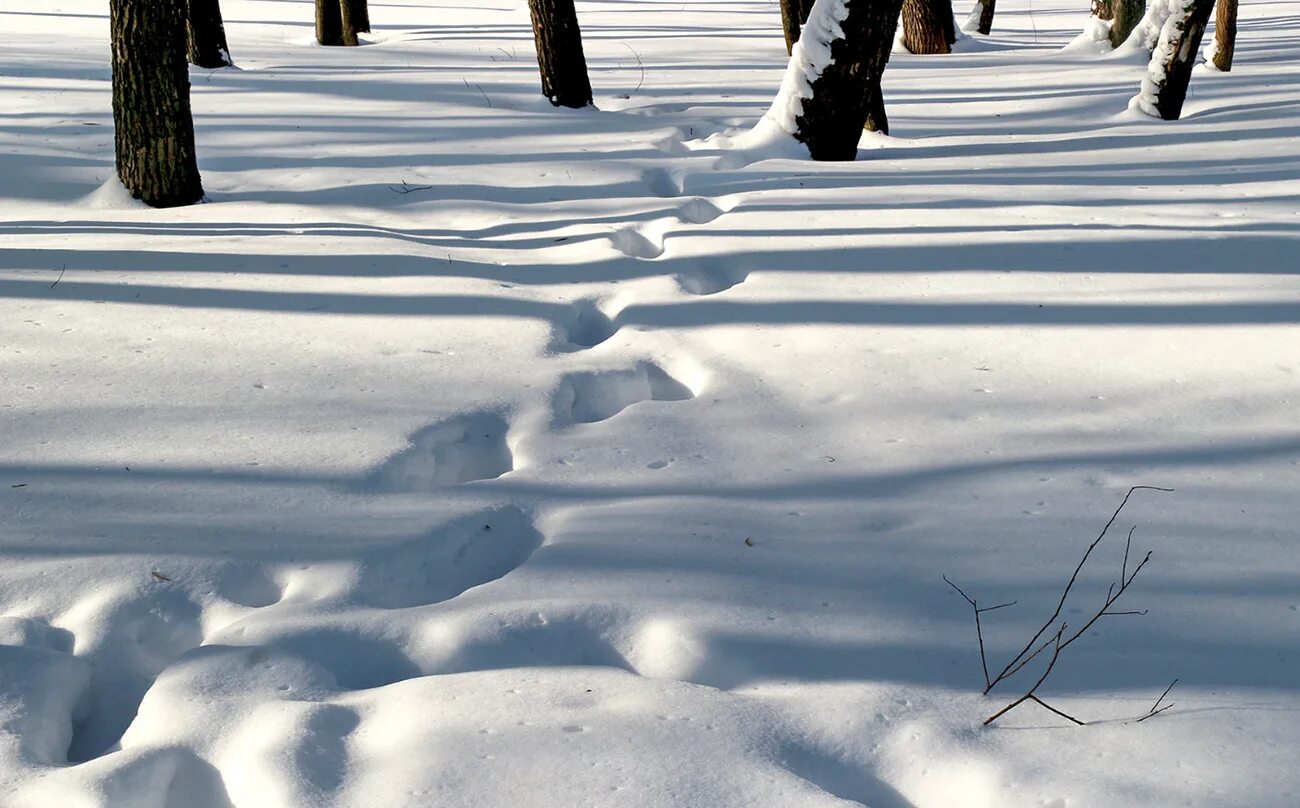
1171	69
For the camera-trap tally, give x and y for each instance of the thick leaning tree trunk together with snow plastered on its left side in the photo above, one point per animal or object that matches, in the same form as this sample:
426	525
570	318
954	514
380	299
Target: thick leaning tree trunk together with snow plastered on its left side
833	84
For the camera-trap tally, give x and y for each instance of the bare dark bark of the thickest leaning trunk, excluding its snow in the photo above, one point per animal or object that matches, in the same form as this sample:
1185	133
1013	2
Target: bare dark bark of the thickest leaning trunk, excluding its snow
844	95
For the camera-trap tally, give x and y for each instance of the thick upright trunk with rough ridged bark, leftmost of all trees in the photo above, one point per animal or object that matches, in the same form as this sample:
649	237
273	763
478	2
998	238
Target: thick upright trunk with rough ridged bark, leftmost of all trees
153	125
